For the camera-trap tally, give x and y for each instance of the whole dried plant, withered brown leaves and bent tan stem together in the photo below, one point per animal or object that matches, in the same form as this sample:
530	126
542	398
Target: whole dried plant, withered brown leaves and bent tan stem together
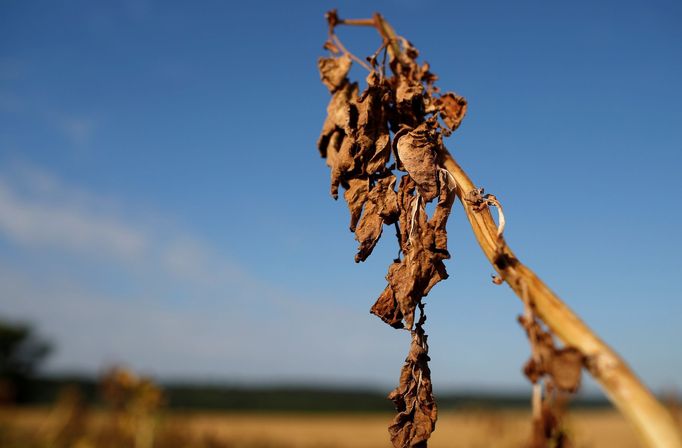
384	147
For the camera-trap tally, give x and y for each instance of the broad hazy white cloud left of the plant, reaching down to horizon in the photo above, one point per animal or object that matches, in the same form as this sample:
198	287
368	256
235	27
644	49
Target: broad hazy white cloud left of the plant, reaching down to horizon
229	324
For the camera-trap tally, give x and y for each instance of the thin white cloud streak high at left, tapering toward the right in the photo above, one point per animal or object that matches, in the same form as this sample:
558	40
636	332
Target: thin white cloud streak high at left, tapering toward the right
40	211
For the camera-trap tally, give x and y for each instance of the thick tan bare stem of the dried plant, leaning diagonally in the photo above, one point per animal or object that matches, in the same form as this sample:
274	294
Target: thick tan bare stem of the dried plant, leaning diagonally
655	426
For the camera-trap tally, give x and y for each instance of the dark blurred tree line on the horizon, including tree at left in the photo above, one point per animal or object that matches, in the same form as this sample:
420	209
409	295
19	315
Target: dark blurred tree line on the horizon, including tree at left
23	352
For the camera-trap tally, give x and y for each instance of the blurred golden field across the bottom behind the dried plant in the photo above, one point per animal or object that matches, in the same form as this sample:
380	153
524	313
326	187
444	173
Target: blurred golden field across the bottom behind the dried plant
593	428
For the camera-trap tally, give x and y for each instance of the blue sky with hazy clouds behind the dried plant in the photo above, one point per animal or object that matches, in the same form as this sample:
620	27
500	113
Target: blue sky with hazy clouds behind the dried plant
163	205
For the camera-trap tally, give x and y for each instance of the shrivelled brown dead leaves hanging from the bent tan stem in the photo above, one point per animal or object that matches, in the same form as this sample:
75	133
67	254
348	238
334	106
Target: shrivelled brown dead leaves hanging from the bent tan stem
384	147
